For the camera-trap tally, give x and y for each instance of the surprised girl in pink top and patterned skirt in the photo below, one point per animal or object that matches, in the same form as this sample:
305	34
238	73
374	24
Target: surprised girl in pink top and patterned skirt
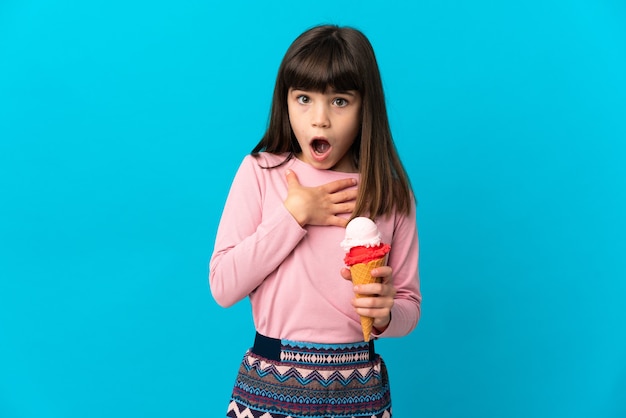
327	156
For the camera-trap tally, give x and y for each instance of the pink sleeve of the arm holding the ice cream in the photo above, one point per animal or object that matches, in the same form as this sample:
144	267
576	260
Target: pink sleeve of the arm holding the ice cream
403	259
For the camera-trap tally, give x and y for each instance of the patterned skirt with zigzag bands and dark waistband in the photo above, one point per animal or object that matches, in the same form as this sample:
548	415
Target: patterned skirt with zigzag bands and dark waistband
289	379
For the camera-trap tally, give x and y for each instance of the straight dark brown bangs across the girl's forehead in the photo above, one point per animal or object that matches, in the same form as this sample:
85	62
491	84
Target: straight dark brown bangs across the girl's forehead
323	65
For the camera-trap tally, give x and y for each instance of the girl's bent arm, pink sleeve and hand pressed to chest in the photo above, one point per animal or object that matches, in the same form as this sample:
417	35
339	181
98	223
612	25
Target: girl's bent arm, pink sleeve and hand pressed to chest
262	223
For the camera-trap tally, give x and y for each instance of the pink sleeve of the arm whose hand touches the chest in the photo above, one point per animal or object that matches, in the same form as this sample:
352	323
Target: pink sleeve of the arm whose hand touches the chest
251	241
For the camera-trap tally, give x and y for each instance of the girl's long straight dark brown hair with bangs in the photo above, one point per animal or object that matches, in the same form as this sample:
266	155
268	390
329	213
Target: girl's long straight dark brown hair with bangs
343	58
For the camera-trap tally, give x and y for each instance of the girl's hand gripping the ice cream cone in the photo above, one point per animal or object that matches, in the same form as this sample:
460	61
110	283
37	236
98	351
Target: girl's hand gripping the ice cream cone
376	299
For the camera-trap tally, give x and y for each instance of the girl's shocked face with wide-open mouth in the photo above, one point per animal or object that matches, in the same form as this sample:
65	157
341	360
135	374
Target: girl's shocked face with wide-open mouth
325	125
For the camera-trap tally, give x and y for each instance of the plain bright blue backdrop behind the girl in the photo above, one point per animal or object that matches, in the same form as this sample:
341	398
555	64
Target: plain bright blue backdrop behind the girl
122	124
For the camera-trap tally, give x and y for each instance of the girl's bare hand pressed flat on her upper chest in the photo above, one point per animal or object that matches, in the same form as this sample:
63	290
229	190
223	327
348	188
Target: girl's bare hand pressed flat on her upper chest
320	205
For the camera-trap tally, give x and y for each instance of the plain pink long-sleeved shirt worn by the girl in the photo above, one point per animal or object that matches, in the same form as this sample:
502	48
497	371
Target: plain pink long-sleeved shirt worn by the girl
291	273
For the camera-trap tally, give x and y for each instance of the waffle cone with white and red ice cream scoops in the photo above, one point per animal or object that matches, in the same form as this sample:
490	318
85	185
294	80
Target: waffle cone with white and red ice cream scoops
364	252
